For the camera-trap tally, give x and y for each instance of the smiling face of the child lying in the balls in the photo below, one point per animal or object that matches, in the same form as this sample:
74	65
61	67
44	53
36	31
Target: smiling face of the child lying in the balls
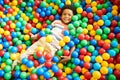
66	16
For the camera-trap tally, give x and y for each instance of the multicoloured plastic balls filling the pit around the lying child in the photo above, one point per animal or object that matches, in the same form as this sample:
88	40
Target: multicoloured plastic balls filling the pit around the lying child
95	31
